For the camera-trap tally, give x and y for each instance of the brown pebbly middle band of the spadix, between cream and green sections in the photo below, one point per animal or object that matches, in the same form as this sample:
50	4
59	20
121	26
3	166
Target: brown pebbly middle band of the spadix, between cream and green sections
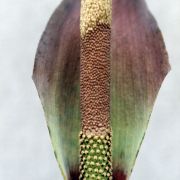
95	80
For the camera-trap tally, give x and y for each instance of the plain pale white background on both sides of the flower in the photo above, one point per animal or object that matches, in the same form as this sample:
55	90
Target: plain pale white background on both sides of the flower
25	148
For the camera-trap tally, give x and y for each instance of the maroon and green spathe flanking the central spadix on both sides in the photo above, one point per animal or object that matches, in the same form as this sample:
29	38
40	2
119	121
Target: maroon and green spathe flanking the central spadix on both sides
138	66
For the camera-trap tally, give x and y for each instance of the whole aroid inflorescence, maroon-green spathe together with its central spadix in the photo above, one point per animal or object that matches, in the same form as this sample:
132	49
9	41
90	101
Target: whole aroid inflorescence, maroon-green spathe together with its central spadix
98	69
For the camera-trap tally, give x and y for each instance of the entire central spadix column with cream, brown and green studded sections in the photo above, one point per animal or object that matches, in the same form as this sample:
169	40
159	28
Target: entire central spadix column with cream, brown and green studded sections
96	136
